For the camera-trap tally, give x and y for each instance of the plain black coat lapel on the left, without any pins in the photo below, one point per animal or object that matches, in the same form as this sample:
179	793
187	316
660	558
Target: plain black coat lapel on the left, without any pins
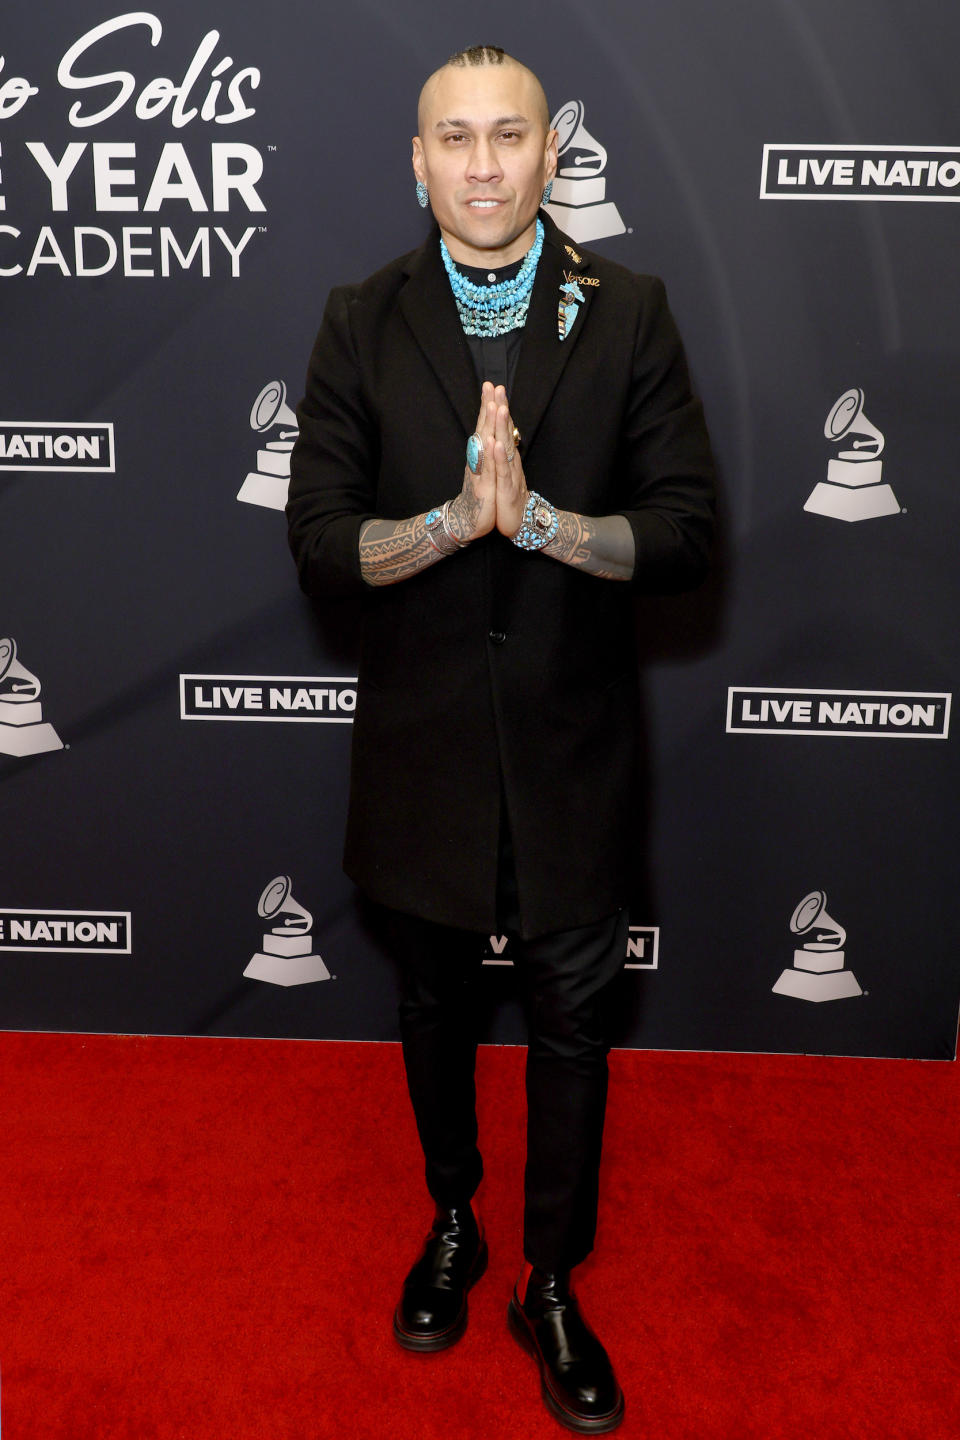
428	306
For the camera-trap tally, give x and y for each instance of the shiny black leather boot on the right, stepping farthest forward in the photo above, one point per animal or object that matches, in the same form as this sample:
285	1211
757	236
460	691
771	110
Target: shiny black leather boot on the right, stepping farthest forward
576	1376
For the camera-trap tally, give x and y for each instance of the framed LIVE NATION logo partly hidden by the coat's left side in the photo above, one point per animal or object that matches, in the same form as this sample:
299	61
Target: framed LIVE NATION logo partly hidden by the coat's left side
320	699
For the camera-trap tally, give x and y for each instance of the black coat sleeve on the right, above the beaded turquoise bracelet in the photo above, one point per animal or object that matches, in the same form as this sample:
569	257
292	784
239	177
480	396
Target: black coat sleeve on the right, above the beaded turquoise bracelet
667	464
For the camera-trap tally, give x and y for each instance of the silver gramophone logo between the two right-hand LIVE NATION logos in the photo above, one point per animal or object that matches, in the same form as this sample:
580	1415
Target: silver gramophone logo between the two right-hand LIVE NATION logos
854	487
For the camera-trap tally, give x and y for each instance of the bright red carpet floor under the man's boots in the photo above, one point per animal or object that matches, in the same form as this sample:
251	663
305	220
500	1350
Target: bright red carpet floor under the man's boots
205	1241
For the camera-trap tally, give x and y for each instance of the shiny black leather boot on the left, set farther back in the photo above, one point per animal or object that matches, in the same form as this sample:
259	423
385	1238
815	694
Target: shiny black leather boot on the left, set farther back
433	1310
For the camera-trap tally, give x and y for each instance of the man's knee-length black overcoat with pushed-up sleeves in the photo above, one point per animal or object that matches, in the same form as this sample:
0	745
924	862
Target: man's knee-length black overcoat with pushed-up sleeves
496	670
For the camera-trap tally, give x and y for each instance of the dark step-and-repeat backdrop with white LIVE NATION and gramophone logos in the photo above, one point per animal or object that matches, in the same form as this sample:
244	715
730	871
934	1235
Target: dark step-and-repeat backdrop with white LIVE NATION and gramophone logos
179	189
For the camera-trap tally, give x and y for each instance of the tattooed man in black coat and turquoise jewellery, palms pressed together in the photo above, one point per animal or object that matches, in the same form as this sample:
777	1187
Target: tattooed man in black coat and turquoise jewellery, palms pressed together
493	751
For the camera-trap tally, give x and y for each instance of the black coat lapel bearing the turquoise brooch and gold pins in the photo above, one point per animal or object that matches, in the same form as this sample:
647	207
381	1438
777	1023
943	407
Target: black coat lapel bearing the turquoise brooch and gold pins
543	355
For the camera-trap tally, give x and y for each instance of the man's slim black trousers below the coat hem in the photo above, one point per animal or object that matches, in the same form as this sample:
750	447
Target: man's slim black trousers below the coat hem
566	981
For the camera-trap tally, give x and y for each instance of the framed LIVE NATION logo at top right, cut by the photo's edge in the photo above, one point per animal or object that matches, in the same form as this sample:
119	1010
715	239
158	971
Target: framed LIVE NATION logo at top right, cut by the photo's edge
861	174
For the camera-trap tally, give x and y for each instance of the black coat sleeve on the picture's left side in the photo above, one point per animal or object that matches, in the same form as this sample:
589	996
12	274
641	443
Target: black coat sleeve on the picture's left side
335	462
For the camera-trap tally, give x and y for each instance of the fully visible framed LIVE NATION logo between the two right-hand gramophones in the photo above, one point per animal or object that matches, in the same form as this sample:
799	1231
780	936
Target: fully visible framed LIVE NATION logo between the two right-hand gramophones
896	714
